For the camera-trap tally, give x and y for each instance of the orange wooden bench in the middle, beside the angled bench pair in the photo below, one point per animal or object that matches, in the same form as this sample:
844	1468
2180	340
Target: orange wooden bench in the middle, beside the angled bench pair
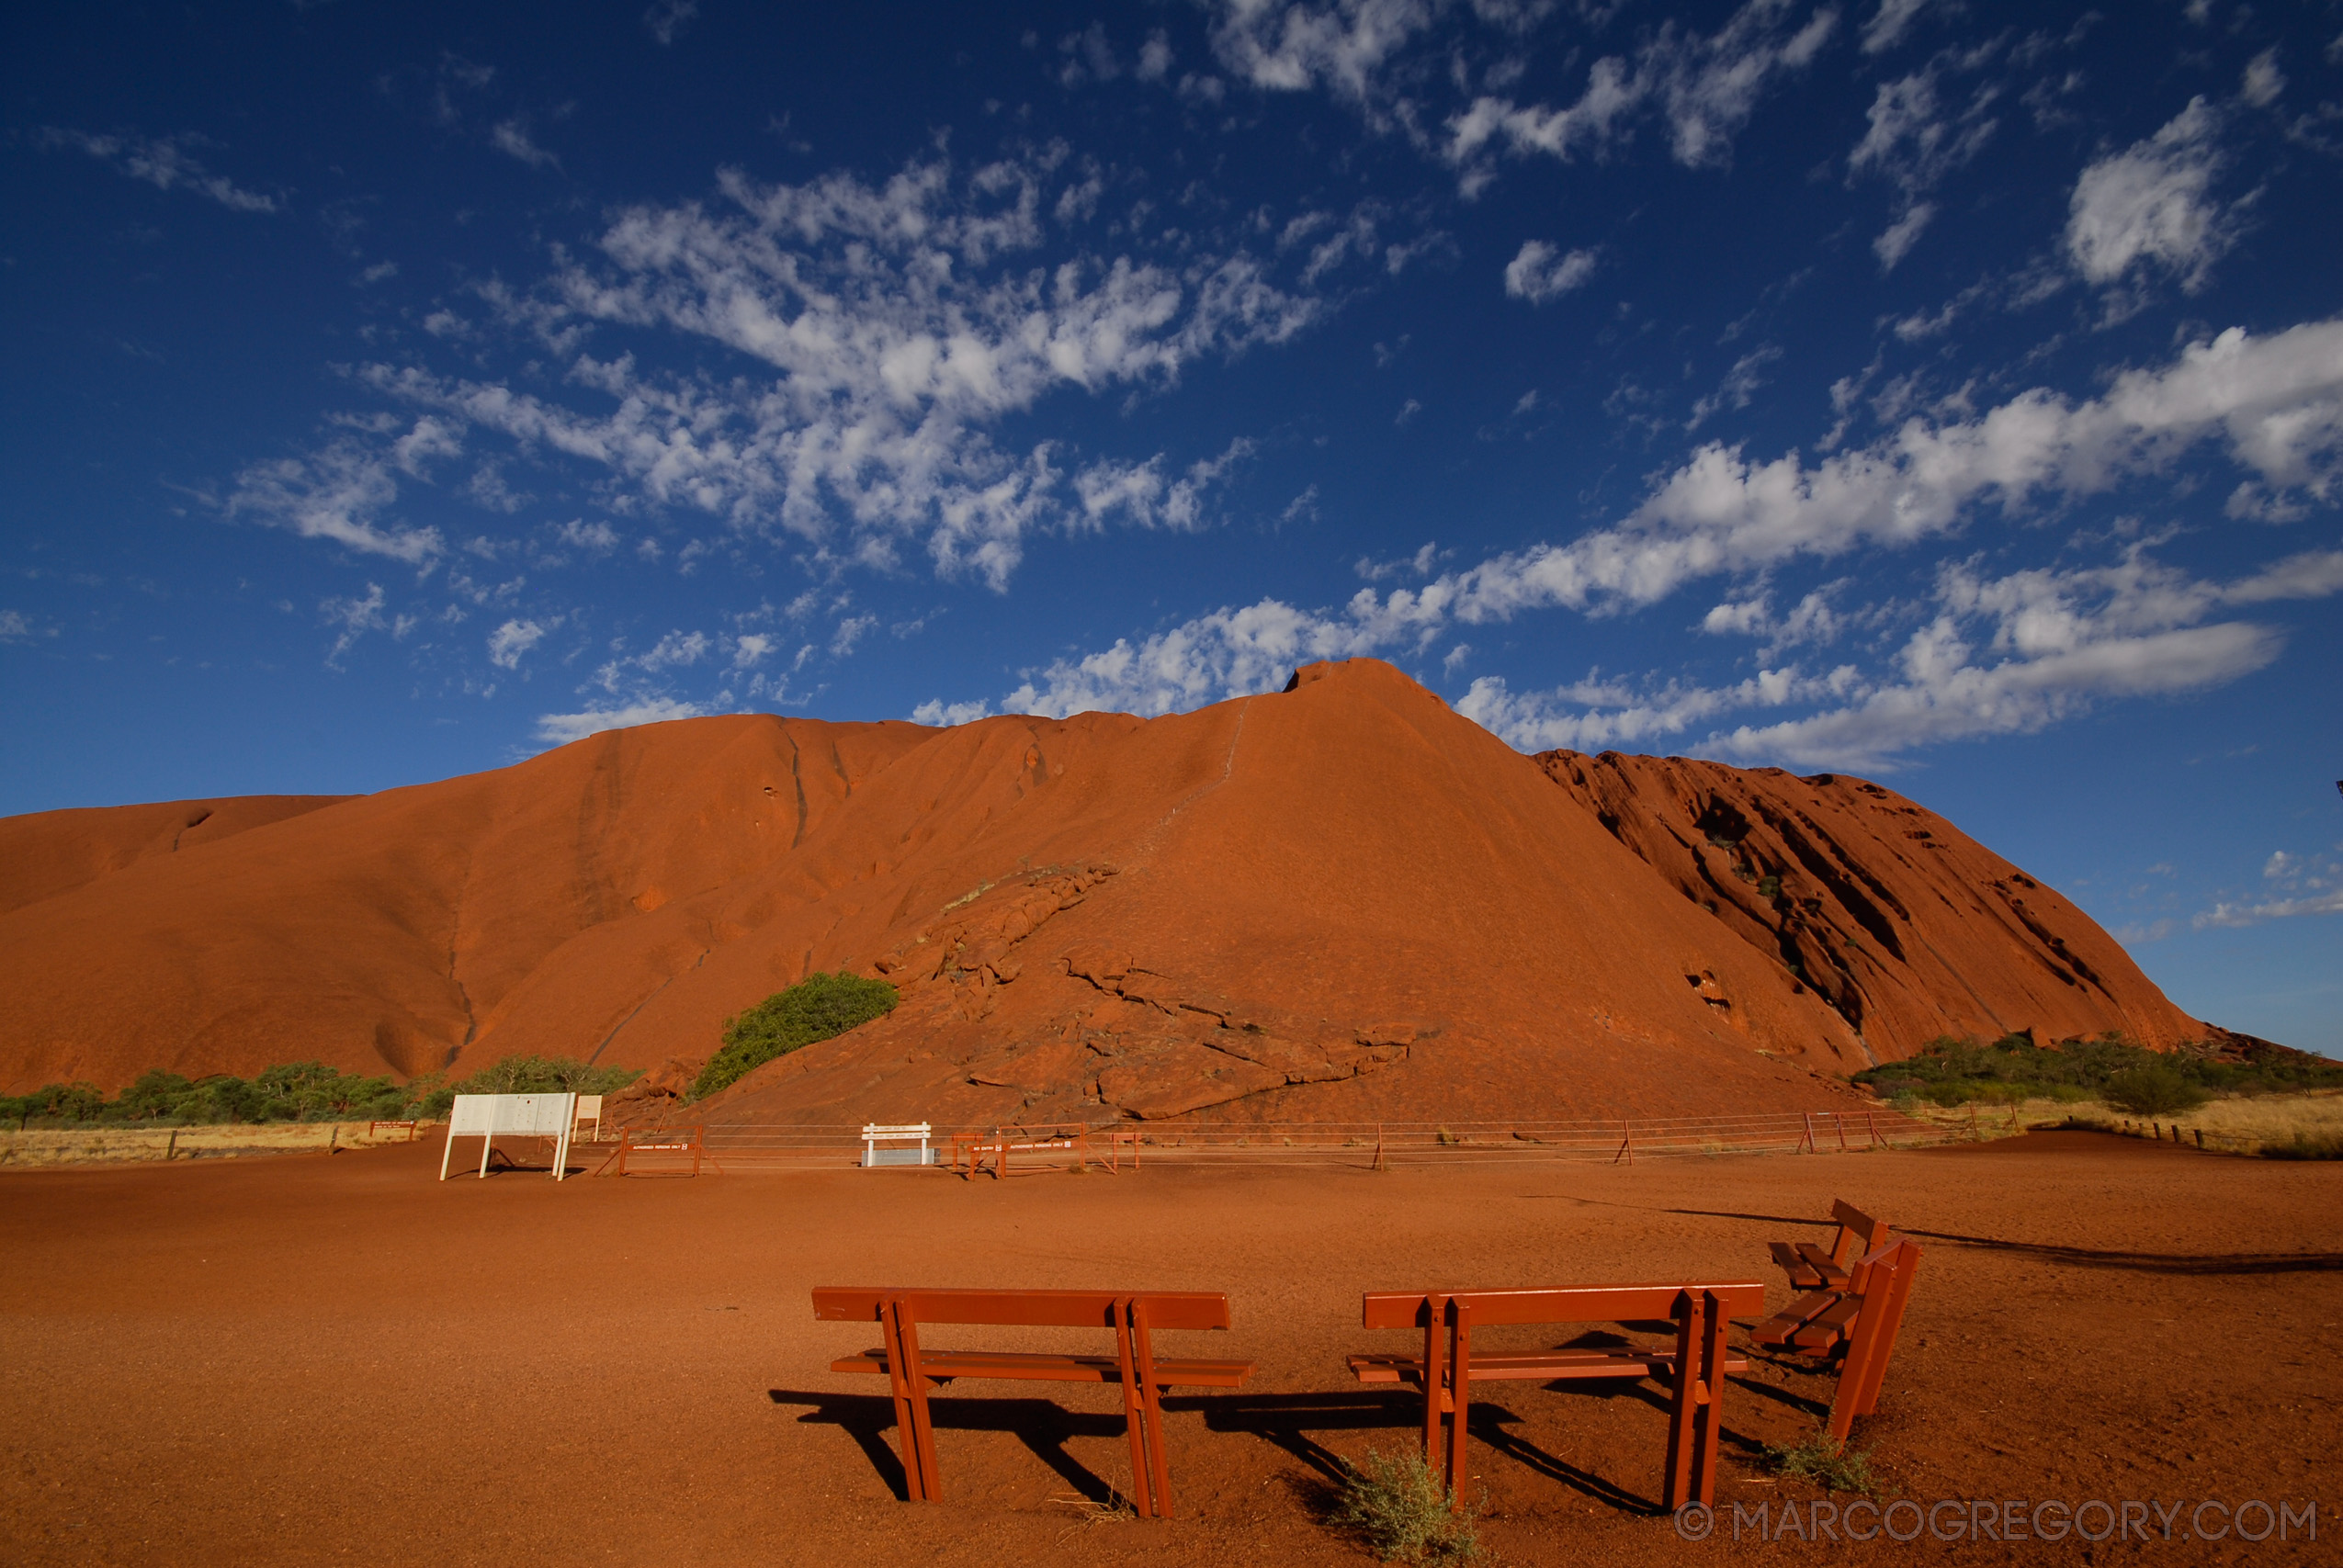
1693	1370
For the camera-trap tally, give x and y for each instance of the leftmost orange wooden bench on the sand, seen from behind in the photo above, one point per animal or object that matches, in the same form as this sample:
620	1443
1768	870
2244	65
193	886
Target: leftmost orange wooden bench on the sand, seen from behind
1133	1316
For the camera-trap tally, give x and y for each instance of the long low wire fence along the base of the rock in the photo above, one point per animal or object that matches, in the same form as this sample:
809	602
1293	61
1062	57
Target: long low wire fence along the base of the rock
770	1145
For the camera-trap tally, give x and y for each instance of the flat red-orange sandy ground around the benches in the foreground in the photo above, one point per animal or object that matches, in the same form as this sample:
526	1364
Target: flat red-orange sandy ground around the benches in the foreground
343	1361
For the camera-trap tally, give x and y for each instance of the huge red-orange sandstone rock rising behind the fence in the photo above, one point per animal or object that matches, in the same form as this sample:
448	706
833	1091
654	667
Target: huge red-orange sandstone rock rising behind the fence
1339	904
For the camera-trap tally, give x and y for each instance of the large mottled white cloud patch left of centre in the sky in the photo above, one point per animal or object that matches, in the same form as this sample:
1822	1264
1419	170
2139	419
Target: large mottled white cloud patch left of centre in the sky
899	325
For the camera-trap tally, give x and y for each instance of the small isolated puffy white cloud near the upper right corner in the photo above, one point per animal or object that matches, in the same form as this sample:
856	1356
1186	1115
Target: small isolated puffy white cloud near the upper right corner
2152	205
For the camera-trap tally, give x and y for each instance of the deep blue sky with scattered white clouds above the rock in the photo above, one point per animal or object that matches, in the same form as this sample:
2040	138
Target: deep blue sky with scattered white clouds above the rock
1941	393
